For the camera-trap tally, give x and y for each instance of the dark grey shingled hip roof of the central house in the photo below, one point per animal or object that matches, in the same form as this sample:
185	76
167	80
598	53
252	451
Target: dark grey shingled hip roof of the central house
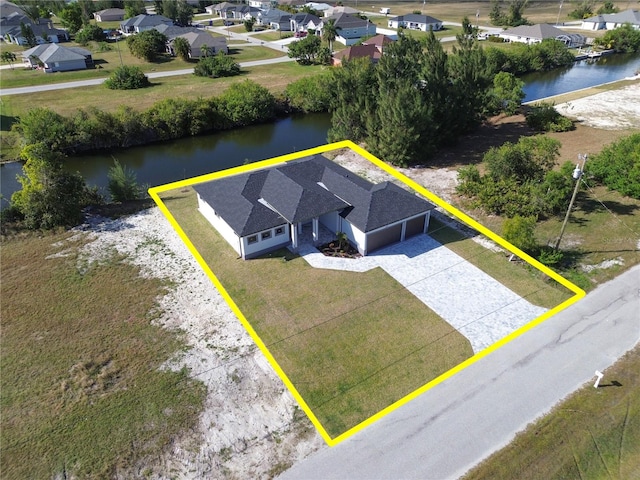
304	189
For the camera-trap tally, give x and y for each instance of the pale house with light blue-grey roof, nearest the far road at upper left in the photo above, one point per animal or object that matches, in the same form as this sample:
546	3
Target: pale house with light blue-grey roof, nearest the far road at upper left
56	58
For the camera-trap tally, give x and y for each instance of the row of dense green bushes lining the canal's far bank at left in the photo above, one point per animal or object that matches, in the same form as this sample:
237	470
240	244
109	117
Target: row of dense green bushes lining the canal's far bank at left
89	129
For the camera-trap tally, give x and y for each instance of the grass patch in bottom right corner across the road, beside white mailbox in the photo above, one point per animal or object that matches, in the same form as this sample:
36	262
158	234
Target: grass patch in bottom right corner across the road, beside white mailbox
593	434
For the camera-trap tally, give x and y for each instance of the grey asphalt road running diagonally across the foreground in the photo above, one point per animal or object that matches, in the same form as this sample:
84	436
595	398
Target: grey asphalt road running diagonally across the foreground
452	427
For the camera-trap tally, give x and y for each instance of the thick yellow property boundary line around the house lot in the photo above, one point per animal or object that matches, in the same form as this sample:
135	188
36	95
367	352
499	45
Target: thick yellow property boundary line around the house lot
578	293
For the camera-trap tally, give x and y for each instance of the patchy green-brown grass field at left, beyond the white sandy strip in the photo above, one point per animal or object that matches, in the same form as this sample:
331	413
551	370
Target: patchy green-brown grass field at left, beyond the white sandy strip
82	391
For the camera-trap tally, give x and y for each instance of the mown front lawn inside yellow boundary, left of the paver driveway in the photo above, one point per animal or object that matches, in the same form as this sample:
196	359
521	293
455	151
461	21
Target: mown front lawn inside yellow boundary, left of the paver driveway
351	343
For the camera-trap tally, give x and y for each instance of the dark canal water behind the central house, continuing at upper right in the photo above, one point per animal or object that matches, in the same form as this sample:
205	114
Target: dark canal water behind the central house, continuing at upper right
168	162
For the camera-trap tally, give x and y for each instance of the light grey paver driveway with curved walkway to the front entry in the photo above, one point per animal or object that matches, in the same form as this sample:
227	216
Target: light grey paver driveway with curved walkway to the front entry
478	306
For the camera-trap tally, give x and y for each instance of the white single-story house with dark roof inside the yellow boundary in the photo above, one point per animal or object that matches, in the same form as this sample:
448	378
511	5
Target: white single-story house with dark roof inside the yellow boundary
260	211
